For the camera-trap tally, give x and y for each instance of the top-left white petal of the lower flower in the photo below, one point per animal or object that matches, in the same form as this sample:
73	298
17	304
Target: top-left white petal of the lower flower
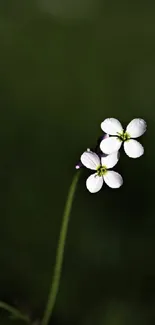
90	160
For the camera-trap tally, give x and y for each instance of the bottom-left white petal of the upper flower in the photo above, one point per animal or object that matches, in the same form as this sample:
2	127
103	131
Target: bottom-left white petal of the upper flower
110	145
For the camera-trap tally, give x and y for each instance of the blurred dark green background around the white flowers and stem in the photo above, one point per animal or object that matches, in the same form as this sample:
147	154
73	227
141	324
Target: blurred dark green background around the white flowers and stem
63	70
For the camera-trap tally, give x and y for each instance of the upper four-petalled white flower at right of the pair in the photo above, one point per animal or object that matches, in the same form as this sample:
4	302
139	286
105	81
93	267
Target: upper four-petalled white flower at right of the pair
134	130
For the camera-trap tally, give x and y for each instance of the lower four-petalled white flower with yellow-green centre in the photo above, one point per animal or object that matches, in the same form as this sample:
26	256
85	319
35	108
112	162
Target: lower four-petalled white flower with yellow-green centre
101	165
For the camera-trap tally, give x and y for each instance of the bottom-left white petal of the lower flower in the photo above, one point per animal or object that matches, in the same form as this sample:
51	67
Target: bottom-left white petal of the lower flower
94	183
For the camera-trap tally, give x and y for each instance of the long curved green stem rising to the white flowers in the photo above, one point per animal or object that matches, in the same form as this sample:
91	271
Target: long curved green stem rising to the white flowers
60	253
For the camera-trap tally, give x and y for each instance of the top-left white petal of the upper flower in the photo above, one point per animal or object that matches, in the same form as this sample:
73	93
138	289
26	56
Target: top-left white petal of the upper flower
111	126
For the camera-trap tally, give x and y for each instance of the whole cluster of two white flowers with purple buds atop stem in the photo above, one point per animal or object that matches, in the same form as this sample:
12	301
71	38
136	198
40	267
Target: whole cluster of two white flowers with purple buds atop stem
107	157
